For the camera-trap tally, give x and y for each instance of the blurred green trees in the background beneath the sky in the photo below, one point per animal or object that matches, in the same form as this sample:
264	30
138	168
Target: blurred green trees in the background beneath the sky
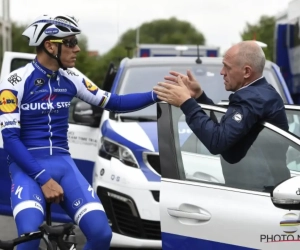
163	31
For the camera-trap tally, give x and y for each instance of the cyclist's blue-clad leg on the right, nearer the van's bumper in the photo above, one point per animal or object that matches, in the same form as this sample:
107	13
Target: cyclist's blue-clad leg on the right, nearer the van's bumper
83	205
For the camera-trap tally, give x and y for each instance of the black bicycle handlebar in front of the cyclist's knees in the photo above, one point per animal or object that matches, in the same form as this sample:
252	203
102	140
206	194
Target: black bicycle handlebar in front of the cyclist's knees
56	233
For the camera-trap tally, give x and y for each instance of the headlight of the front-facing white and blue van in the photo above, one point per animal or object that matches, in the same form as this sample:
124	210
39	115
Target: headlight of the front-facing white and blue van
110	149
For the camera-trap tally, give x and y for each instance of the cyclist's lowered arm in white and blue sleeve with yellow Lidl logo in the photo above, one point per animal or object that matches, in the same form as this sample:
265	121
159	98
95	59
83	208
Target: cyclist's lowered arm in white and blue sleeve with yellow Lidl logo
11	96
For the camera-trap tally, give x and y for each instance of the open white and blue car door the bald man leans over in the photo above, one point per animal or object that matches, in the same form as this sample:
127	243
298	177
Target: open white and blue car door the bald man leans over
204	207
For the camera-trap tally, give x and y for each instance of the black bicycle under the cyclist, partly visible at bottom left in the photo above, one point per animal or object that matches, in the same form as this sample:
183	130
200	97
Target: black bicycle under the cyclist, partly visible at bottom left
55	237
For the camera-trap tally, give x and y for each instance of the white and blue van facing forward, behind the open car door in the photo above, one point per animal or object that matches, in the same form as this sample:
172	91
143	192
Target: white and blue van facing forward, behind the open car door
127	172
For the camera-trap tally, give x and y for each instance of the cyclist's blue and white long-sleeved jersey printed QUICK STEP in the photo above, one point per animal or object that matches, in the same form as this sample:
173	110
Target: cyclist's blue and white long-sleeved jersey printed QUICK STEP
34	109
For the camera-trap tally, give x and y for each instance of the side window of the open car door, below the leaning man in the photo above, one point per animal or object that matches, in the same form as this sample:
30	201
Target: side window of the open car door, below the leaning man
258	162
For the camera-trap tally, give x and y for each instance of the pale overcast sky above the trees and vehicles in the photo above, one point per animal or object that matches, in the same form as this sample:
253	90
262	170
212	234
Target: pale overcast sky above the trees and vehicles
103	21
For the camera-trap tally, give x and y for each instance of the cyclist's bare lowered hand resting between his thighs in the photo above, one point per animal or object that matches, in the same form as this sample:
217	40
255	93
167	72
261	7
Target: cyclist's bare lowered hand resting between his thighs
53	192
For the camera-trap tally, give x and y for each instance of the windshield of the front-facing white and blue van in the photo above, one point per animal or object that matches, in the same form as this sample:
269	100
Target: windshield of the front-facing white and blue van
144	78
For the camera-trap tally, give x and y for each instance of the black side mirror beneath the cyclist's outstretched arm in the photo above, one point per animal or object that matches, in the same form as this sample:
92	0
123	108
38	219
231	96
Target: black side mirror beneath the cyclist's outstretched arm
86	114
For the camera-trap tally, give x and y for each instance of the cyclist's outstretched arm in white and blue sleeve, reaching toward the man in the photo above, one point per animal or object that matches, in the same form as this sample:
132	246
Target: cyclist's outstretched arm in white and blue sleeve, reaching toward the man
90	93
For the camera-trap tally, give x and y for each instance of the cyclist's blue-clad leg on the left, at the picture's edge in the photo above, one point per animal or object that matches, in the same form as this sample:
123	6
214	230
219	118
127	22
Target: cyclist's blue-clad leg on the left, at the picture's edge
28	205
